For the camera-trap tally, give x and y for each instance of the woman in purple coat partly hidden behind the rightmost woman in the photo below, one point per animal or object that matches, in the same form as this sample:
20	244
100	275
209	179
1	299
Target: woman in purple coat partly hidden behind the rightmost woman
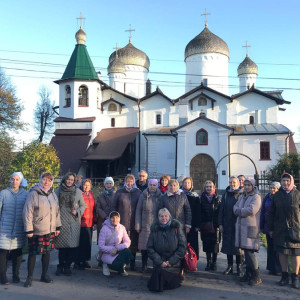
273	264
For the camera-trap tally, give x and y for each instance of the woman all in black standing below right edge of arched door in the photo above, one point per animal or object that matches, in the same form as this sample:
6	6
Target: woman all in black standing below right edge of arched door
210	235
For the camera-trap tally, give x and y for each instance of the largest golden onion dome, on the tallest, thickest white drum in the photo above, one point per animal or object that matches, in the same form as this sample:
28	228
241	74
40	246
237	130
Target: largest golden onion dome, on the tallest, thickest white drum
206	42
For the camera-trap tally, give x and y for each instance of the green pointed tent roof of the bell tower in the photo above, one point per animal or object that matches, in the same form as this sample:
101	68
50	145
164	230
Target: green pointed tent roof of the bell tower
80	65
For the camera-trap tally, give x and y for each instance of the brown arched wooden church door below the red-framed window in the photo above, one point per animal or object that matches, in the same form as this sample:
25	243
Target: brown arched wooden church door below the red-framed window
202	168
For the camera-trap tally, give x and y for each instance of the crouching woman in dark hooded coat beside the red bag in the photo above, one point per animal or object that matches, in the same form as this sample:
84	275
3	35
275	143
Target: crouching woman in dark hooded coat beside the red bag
166	248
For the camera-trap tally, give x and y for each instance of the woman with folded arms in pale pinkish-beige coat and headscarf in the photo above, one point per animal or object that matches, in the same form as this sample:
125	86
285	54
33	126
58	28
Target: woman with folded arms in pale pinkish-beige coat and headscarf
247	210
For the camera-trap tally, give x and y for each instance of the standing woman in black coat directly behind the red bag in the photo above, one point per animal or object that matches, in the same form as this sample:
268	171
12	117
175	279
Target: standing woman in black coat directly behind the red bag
194	201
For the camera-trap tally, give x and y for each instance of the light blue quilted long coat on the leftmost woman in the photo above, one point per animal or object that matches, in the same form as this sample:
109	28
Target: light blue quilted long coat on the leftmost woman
12	235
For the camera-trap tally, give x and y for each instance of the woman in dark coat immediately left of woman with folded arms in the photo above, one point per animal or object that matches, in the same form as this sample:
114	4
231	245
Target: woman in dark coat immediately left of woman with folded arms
227	220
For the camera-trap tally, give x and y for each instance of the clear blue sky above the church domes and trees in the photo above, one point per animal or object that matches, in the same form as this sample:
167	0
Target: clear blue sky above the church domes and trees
162	30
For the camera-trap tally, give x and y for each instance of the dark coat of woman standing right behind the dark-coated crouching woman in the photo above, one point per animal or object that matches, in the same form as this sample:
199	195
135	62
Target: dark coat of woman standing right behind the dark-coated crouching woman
178	206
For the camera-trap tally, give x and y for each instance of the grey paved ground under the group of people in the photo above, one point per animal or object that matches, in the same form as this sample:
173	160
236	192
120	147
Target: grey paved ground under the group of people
91	284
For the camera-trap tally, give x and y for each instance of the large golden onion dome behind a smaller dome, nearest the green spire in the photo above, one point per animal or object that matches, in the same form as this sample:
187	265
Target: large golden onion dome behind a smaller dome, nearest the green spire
129	55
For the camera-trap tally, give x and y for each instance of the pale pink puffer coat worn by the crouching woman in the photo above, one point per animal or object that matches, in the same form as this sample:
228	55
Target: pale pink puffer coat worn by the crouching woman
120	240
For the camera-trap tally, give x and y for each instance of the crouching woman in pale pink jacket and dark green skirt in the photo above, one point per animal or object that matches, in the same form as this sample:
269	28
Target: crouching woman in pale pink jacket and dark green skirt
113	243
